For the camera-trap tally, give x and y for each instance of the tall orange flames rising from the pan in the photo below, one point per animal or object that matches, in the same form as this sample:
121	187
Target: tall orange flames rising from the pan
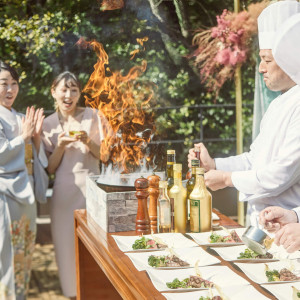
124	101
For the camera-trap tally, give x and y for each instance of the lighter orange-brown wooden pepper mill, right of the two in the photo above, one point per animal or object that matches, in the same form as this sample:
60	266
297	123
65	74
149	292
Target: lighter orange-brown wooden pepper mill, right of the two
153	192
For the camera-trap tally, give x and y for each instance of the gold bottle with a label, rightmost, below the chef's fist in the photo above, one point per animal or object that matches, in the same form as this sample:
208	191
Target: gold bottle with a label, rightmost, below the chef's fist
200	205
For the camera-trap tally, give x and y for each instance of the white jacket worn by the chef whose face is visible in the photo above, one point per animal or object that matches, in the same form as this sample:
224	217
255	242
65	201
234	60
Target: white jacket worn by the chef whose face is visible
269	174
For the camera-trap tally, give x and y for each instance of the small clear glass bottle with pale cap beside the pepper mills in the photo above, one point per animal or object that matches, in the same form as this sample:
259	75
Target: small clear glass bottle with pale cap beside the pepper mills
163	208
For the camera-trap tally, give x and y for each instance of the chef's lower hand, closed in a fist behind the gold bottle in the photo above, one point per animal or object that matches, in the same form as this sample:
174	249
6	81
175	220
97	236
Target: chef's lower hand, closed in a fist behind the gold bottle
217	179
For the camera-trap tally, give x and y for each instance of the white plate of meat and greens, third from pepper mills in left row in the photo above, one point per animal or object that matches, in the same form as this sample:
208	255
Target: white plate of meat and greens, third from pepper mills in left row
194	279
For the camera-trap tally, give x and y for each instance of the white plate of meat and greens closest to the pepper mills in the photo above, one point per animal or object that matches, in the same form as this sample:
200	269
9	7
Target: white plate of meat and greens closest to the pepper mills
153	242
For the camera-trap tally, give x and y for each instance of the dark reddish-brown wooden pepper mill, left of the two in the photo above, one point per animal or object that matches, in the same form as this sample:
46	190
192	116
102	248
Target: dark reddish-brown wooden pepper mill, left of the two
142	223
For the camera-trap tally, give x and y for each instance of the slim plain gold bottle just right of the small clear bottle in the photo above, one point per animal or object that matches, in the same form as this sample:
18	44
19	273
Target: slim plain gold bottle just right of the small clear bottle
178	193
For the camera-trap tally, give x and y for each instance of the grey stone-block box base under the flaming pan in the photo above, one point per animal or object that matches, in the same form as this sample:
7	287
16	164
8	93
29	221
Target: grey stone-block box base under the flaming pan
113	212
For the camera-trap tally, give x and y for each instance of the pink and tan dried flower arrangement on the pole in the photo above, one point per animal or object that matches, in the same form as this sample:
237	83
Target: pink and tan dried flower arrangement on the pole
222	48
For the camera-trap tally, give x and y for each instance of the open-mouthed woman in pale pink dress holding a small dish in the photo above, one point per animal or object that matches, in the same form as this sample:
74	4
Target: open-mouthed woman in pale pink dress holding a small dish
72	137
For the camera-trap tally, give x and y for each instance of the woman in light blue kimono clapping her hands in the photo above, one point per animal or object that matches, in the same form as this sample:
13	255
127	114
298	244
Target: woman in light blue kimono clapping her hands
19	148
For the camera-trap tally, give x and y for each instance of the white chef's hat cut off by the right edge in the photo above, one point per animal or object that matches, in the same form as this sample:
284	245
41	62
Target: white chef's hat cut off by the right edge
286	47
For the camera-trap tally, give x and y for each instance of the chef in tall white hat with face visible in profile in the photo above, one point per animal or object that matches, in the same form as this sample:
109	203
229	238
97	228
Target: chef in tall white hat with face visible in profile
269	174
